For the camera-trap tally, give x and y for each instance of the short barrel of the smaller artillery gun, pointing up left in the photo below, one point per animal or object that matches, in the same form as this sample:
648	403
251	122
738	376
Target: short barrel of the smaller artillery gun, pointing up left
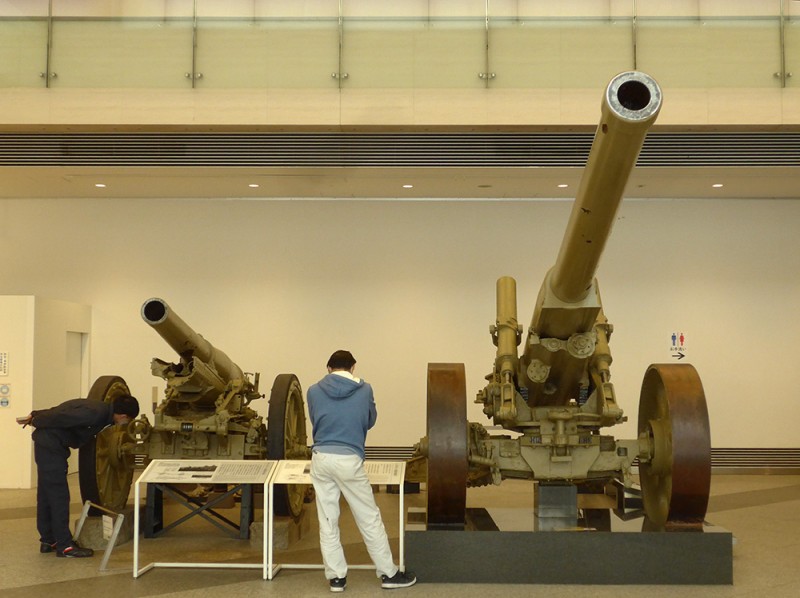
185	341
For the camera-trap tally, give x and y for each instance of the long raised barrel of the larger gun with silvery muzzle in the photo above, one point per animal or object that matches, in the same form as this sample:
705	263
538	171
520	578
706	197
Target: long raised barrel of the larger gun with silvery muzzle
630	106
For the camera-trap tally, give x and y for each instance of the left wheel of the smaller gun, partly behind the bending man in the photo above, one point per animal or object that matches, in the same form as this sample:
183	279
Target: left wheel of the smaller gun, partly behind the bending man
105	472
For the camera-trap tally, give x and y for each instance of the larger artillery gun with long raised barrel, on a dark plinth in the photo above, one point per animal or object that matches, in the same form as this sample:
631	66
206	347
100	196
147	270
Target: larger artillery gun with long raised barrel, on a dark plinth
557	396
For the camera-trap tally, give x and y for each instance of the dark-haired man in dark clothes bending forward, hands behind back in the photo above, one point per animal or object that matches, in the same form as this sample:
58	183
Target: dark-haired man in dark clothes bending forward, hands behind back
69	425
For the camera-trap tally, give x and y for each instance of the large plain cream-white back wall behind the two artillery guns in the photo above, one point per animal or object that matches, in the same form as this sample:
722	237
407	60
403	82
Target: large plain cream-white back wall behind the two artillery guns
278	285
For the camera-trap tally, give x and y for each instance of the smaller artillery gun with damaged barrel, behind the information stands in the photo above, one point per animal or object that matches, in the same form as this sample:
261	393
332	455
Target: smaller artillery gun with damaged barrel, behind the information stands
205	414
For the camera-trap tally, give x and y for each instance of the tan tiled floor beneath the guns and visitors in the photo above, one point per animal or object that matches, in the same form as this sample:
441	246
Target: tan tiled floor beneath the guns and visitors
763	512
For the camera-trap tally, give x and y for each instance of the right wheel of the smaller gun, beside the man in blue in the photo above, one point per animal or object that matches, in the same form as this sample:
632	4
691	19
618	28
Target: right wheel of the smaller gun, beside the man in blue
286	439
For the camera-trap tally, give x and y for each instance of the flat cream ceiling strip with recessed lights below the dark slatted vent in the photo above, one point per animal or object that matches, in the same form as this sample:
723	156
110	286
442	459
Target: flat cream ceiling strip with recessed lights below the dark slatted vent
384	183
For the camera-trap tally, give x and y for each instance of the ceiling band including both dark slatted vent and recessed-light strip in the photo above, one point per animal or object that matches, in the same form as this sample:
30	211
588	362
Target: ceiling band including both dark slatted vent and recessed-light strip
449	165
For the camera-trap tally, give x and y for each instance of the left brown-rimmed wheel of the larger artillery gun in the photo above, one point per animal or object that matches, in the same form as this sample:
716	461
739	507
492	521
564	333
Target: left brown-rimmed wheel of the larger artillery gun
447	446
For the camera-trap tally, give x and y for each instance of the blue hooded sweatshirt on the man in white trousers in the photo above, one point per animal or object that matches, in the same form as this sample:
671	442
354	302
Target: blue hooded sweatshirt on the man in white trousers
341	412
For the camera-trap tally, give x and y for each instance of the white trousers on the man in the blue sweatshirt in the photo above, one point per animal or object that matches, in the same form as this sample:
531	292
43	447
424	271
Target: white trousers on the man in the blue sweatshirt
336	475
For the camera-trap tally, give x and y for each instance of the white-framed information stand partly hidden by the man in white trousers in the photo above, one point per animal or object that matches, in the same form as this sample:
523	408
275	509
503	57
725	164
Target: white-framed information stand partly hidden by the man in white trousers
299	472
